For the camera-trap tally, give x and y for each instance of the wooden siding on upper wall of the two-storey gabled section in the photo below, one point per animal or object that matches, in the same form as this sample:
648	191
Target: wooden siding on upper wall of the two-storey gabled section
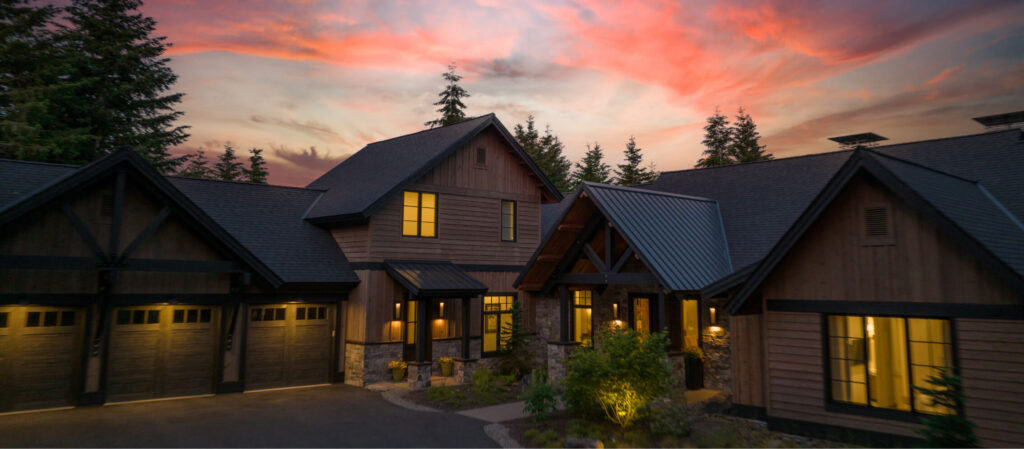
468	210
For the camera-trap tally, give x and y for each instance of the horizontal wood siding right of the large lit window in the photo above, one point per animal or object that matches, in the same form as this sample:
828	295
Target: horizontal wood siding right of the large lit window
992	358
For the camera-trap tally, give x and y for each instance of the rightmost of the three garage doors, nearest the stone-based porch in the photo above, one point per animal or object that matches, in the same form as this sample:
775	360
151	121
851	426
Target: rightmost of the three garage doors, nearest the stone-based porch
288	345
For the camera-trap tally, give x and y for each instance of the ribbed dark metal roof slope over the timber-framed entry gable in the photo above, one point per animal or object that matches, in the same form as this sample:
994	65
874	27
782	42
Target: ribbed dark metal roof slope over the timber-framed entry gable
680	238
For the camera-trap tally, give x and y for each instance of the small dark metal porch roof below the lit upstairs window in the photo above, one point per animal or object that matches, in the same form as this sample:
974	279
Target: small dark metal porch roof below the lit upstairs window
434	278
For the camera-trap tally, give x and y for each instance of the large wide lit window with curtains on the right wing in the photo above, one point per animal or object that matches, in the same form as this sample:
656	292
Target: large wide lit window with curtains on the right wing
874	361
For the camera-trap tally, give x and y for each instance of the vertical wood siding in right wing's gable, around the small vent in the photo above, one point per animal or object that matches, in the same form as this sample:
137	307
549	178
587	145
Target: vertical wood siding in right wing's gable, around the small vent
831	262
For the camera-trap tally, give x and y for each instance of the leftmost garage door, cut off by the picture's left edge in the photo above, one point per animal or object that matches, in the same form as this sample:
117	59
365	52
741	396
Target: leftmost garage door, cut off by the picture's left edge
40	357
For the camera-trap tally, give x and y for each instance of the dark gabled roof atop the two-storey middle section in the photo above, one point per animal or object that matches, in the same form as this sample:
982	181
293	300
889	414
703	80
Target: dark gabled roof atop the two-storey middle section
360	185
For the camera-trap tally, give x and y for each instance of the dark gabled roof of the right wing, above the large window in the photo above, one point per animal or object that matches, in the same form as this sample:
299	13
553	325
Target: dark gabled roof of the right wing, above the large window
963	210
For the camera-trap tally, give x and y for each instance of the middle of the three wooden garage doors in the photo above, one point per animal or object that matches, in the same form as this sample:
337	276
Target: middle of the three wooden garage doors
162	352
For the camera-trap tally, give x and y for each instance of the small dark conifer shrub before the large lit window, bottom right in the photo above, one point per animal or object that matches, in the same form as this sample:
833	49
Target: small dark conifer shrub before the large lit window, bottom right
947	430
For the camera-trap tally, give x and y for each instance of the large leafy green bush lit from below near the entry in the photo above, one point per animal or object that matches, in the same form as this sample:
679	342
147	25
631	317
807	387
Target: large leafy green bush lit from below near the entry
620	375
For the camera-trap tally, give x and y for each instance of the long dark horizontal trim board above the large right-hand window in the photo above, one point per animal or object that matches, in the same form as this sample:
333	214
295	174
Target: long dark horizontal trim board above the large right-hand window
936	310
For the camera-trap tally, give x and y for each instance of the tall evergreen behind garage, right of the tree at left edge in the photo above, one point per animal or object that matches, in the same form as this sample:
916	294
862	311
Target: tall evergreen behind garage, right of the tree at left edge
124	100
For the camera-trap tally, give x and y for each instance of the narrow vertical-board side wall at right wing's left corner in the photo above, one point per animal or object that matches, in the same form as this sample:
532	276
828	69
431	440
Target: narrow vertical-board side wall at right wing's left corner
748	361
